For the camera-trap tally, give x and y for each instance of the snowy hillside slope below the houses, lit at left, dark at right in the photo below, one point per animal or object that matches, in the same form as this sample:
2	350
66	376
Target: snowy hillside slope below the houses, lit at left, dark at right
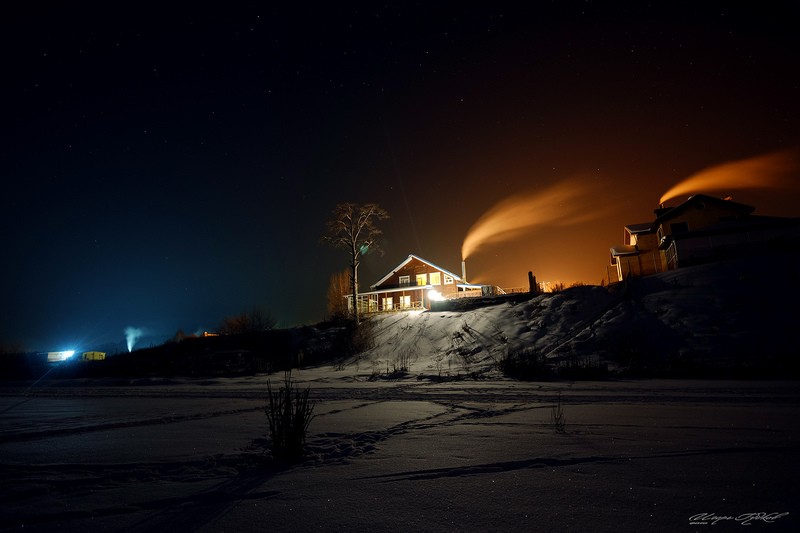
728	318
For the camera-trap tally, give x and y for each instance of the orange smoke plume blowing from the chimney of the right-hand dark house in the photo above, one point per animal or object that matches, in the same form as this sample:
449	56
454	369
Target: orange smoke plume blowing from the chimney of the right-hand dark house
764	171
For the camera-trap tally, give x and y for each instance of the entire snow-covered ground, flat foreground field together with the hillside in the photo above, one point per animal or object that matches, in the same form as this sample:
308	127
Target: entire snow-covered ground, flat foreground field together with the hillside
451	444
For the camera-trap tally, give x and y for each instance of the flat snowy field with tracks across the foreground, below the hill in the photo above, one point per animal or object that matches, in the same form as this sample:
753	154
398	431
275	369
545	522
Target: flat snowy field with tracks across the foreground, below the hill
405	455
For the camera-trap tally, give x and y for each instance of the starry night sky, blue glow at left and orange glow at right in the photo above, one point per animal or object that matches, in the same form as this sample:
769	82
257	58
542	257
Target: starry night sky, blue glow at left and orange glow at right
164	168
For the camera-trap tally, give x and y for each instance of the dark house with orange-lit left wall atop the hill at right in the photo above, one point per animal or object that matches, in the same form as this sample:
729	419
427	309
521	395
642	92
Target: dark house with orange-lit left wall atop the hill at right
702	229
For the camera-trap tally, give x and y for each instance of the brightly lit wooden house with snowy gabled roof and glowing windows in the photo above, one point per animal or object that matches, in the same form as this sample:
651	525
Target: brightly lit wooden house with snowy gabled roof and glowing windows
414	284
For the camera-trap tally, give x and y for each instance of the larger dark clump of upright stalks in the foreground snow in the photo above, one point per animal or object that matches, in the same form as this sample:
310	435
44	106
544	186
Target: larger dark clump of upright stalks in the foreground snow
289	412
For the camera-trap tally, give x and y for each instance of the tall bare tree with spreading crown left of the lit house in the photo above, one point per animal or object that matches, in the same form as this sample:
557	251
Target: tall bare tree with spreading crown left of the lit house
353	229
